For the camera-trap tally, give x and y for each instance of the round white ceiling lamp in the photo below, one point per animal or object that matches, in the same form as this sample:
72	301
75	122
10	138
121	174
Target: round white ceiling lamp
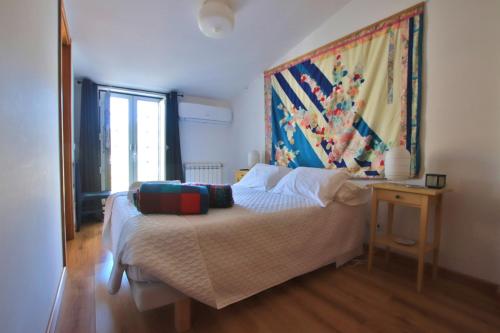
215	19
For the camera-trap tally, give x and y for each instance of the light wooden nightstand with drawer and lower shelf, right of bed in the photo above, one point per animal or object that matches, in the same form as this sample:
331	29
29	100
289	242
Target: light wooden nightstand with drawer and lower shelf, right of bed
396	194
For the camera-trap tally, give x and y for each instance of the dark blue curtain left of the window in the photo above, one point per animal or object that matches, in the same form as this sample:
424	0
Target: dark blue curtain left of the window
89	150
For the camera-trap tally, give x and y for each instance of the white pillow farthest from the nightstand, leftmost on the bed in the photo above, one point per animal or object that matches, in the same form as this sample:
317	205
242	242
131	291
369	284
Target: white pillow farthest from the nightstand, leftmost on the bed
263	176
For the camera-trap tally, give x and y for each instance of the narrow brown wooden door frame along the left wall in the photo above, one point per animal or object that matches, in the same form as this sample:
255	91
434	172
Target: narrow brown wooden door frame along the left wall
65	130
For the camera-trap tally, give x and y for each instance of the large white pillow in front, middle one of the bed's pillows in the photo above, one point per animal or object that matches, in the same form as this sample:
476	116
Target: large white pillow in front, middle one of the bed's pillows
319	185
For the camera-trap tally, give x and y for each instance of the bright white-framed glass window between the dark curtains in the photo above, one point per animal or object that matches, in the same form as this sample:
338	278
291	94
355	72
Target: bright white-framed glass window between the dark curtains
133	138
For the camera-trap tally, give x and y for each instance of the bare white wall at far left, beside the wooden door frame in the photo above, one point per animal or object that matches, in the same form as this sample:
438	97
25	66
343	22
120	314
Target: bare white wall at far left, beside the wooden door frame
30	226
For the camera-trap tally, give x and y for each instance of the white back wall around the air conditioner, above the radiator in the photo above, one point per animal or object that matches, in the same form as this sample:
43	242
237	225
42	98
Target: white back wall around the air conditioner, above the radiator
201	142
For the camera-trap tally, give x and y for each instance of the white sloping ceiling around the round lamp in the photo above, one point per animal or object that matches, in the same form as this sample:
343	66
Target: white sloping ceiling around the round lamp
156	44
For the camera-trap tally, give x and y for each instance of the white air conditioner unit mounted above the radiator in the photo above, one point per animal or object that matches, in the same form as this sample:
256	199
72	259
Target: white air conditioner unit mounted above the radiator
204	113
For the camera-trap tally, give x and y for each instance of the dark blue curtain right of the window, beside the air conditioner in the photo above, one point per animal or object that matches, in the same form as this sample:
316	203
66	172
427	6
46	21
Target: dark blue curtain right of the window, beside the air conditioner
173	158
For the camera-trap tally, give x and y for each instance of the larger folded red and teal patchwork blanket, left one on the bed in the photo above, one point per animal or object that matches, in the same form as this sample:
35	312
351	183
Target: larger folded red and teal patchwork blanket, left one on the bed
158	198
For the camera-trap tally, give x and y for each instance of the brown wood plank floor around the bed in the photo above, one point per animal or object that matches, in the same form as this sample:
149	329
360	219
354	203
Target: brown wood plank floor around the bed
348	299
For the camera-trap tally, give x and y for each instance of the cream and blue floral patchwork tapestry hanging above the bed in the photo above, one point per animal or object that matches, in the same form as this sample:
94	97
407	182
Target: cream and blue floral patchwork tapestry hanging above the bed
345	104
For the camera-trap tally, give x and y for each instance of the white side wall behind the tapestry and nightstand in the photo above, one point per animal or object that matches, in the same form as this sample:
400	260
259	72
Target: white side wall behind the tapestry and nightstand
460	118
